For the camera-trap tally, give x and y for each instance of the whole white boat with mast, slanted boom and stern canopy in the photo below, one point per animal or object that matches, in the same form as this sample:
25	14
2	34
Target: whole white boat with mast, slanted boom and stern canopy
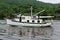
31	20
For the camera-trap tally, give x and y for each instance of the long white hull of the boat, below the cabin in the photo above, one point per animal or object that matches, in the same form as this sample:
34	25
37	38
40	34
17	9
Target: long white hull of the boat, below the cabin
10	22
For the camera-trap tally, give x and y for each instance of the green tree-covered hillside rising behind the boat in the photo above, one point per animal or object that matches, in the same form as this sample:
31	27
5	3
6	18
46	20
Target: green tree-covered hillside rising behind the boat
9	7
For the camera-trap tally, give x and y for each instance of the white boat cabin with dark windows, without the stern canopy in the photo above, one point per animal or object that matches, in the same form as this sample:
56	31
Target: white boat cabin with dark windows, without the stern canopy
28	19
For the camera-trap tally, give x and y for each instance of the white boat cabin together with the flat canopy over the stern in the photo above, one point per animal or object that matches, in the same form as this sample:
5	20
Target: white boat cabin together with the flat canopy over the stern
29	19
